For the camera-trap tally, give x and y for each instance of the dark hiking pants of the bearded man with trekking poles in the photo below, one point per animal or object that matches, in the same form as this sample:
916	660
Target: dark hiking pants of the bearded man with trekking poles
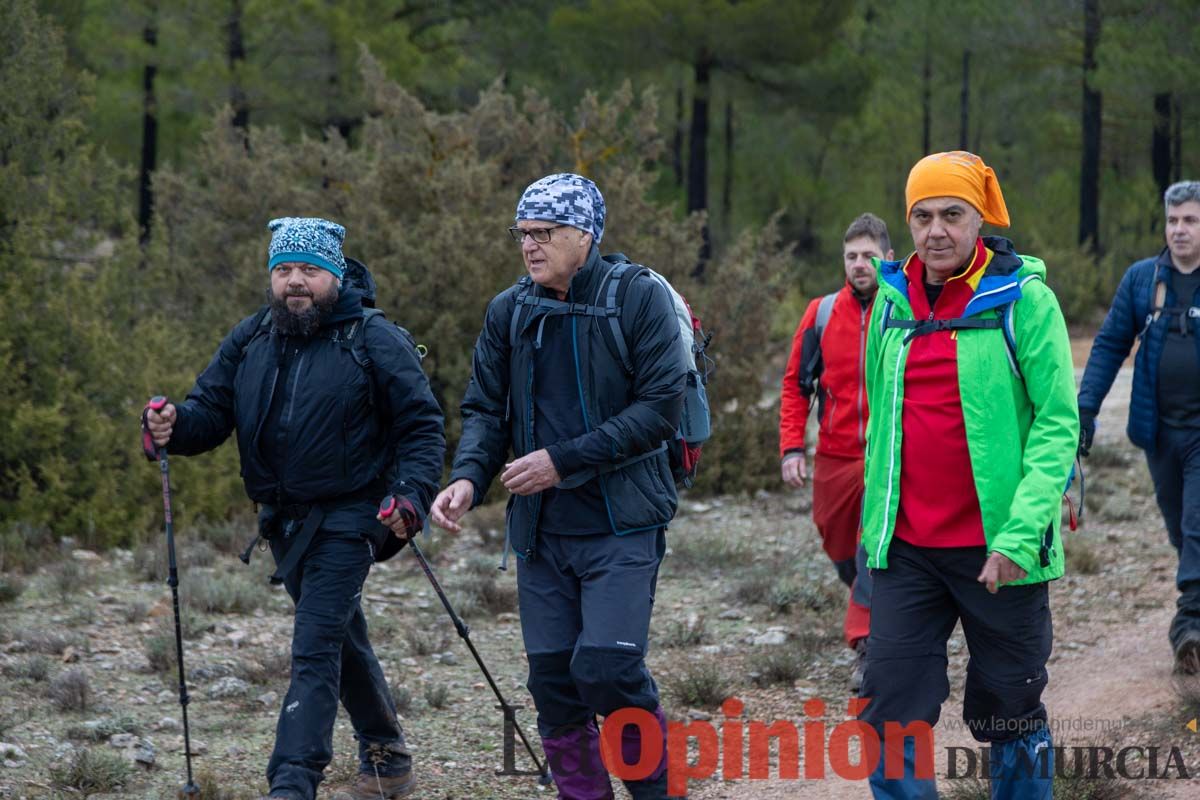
332	661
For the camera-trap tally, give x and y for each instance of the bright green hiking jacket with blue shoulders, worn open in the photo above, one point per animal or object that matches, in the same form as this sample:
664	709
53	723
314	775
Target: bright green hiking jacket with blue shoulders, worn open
1023	428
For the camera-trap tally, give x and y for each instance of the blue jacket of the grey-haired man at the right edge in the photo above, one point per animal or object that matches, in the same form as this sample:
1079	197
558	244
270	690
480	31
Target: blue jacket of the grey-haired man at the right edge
1129	321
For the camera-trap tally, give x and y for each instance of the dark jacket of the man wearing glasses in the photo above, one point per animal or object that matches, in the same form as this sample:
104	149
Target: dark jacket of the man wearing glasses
629	414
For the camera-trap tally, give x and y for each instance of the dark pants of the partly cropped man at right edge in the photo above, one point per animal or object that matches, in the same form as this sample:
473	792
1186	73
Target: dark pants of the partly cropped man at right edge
1175	468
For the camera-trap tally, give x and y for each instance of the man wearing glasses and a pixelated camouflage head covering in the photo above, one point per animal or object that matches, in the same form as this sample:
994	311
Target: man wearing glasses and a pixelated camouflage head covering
592	489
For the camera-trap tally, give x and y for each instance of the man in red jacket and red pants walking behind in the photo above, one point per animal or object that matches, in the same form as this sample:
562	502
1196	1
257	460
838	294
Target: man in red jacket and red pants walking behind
827	360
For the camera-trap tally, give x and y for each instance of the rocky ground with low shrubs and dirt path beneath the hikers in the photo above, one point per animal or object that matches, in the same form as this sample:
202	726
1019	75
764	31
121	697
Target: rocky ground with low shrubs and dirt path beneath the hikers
748	607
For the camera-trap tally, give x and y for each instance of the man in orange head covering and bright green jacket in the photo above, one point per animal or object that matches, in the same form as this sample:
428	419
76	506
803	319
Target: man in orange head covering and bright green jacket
970	444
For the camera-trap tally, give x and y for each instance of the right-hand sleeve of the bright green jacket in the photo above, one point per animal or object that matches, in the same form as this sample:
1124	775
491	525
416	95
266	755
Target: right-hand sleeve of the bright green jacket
1043	352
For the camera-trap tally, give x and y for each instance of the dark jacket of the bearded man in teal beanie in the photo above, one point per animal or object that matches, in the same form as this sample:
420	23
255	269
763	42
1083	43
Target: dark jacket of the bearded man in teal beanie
349	431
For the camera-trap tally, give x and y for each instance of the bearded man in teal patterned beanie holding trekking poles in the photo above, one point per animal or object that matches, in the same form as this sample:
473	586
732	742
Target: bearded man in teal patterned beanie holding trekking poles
322	442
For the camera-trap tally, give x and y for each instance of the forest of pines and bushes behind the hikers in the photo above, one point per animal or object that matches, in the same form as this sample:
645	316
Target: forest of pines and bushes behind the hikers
146	143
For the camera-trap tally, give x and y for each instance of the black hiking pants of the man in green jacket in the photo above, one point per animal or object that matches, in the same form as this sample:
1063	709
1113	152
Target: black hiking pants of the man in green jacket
915	605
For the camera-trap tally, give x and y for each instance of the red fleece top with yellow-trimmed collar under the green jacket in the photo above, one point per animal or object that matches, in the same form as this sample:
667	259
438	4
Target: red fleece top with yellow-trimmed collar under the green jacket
939	506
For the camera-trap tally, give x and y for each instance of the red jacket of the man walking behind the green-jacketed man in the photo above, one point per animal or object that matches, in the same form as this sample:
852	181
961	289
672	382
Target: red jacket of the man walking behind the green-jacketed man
833	370
